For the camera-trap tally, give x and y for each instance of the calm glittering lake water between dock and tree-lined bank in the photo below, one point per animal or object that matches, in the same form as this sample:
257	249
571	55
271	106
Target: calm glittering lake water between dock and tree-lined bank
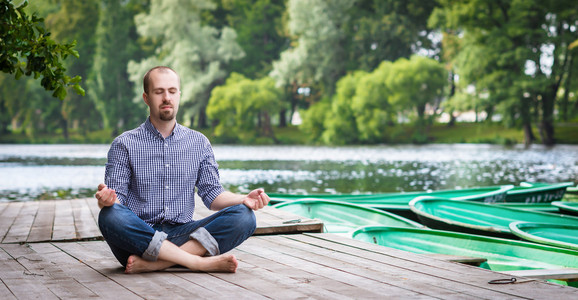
29	172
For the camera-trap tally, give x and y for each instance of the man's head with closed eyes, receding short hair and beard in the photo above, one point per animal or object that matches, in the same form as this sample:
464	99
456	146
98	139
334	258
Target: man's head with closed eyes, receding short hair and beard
164	95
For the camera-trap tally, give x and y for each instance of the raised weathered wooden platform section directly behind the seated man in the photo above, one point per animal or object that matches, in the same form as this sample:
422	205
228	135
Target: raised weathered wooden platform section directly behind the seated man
76	220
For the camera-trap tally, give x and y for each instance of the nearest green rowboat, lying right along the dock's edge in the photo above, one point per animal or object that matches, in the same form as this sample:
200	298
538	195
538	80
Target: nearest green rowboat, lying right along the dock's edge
501	254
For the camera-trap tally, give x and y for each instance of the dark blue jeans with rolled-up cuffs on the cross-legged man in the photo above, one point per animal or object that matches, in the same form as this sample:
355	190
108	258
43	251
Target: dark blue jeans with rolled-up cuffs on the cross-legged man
127	234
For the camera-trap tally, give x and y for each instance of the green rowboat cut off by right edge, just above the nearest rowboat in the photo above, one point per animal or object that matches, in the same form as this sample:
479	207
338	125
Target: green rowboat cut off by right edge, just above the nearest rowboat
565	236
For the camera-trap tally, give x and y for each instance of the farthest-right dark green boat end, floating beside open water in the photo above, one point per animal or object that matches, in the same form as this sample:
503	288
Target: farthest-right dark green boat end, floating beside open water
537	192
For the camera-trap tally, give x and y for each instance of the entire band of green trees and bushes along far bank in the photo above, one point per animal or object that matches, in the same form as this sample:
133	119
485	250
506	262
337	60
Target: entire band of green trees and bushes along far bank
296	71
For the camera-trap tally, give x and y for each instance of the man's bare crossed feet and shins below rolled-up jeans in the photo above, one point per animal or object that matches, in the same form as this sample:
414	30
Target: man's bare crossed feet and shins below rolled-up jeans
190	255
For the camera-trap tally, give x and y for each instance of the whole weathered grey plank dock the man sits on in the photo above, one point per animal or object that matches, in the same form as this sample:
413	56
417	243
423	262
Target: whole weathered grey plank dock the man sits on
54	250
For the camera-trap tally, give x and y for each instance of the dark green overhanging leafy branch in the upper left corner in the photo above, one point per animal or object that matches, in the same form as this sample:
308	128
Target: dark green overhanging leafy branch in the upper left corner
28	50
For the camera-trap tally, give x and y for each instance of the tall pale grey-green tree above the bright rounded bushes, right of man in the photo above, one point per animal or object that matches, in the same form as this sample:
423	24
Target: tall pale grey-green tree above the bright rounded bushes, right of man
317	52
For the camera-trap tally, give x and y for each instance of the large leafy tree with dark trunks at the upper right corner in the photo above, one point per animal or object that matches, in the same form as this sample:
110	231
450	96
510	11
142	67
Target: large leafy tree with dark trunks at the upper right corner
526	53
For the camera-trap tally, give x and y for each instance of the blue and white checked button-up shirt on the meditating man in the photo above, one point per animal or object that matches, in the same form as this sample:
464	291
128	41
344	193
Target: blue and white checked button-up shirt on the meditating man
156	177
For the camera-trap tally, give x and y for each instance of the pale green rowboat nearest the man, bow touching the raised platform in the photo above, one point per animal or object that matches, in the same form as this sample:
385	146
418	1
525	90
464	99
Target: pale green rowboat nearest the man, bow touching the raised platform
342	218
